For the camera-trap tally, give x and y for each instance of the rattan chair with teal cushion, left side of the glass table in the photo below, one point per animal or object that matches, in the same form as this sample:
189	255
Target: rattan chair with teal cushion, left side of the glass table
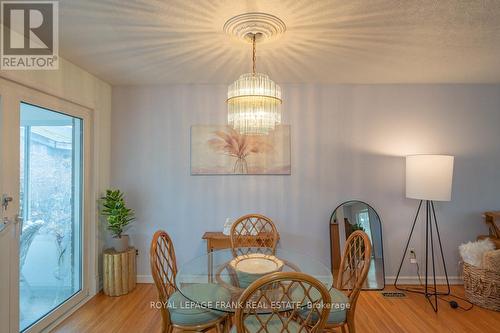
174	314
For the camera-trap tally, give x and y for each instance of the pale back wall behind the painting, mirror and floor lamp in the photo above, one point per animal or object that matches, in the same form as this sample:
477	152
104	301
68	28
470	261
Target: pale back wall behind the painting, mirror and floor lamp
348	142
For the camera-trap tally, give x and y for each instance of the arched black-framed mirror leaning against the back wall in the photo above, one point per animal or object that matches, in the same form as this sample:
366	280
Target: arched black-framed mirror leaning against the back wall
357	215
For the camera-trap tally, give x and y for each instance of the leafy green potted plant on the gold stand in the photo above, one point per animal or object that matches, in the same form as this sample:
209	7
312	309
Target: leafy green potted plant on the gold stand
118	217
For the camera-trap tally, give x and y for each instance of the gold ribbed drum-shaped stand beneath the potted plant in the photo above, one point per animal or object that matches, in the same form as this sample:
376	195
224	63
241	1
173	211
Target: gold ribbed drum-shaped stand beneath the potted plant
120	271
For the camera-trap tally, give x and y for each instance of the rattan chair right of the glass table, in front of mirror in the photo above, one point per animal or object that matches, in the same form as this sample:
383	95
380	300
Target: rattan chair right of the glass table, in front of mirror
352	274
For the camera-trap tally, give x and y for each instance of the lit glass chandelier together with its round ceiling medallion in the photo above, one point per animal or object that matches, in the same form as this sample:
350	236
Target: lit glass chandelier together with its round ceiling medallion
254	100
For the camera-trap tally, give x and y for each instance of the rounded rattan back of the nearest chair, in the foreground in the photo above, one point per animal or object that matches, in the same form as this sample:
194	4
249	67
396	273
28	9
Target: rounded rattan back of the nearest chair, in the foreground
272	304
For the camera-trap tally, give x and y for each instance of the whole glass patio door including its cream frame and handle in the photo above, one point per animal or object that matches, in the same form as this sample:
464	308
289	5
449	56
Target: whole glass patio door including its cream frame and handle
44	188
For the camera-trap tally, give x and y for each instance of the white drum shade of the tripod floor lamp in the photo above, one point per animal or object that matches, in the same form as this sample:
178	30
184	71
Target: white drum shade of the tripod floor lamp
429	177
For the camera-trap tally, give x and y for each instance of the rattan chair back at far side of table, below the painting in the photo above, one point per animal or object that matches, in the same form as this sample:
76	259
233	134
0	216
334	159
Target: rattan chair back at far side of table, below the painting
253	231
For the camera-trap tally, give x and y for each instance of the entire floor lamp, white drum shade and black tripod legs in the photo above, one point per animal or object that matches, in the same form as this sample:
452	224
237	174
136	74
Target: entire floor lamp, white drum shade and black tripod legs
428	179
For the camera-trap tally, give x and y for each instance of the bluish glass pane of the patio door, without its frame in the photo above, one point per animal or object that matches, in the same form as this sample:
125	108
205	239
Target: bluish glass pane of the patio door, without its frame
50	199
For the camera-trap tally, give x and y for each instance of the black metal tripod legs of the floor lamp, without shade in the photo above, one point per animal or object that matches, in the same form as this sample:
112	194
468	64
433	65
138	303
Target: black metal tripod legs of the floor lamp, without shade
430	291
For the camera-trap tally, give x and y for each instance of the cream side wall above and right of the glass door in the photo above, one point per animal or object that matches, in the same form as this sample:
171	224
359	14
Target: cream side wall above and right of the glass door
76	85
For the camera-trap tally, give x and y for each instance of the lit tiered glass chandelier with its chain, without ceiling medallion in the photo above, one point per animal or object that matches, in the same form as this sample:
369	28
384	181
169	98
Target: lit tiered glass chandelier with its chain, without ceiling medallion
254	102
